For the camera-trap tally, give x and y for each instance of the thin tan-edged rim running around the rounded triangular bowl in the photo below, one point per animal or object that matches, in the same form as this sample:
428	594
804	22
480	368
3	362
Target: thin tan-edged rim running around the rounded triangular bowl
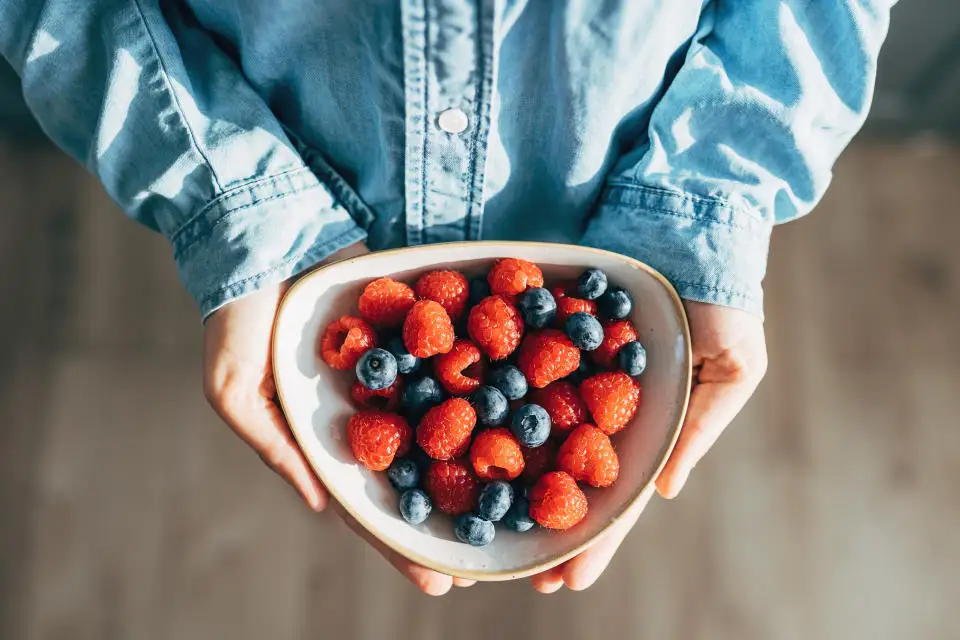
538	567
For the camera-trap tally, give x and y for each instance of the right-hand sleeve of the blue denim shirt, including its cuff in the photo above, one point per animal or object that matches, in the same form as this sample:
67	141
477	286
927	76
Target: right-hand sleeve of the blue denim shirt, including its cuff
744	137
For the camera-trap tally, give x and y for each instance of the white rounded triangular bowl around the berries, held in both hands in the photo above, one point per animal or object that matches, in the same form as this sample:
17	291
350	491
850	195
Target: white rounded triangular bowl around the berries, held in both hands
316	401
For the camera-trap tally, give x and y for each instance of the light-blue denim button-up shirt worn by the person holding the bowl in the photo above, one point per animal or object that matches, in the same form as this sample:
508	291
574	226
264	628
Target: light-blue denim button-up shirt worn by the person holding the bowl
259	136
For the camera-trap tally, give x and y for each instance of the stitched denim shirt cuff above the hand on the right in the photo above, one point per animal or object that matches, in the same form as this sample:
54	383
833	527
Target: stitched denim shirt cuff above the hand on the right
709	250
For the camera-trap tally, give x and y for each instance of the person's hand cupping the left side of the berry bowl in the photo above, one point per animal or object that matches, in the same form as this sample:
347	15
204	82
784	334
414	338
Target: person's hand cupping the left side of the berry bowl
238	383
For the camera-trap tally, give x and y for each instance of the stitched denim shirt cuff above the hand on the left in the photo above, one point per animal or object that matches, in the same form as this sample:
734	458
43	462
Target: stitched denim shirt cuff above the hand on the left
258	234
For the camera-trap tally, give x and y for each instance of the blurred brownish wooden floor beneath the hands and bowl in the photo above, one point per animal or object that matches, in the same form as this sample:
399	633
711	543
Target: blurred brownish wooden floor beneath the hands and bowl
829	511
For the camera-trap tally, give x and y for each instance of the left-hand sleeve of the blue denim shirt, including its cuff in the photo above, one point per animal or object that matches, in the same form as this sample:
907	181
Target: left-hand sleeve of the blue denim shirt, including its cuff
144	98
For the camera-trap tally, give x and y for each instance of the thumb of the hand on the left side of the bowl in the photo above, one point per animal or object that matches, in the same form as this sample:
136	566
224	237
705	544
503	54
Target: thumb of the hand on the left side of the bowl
259	422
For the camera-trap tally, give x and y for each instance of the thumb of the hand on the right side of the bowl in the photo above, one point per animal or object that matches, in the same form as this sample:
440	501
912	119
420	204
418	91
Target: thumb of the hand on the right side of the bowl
713	406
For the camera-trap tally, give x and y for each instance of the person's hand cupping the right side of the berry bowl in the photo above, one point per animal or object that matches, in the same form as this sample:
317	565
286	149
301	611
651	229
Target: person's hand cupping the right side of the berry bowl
729	360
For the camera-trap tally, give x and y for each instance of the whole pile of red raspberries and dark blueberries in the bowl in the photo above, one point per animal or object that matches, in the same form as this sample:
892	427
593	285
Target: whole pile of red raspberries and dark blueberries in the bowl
492	399
